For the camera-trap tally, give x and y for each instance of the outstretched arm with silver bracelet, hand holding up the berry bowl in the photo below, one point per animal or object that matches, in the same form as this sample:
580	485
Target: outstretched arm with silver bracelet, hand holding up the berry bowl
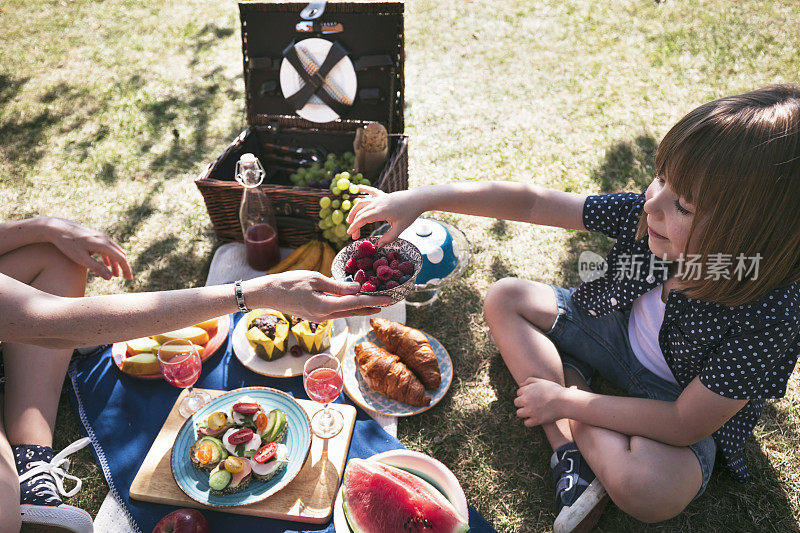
31	316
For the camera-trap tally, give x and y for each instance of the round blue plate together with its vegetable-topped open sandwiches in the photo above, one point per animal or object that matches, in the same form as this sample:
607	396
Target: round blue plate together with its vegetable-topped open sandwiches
241	447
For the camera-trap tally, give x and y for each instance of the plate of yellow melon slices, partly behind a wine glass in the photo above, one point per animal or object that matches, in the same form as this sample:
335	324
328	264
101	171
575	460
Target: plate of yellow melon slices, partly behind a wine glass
138	357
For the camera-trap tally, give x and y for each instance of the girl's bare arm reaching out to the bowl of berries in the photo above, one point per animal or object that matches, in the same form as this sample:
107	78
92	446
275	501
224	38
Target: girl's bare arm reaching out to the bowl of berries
500	199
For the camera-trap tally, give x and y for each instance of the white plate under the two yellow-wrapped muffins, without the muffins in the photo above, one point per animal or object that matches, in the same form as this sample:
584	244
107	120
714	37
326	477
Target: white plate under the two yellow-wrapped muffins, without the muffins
288	365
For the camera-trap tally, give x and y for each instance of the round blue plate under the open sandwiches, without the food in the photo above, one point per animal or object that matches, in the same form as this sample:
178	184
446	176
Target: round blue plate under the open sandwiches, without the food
298	439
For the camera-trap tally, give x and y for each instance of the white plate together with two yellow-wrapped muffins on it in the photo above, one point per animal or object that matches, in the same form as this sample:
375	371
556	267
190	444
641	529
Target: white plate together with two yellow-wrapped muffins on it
273	344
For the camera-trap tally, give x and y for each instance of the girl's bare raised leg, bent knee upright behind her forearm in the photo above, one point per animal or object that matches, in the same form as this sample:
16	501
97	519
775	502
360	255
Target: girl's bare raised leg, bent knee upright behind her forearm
518	311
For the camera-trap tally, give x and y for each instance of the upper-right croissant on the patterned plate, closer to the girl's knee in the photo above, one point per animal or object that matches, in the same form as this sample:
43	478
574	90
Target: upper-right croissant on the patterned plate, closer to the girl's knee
413	348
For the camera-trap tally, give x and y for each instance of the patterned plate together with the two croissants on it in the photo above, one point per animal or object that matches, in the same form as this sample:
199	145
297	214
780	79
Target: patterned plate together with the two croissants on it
396	370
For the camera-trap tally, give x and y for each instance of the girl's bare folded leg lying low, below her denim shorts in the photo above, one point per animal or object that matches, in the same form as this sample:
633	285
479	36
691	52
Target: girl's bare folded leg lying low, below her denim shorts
649	480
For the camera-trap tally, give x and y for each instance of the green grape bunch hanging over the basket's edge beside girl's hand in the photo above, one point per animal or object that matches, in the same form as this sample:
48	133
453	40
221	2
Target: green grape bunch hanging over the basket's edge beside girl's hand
345	188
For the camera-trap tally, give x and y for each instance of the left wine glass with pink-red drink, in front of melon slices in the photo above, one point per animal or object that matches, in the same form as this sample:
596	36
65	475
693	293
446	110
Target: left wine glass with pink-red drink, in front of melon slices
180	365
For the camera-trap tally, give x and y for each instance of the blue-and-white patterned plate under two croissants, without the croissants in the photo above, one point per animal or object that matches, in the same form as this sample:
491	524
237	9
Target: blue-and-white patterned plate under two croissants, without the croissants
360	393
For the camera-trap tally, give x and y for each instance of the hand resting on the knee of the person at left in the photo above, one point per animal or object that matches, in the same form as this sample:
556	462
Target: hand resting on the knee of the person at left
80	244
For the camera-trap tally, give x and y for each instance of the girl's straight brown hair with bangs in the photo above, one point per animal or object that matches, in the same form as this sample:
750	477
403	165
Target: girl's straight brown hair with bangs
737	159
